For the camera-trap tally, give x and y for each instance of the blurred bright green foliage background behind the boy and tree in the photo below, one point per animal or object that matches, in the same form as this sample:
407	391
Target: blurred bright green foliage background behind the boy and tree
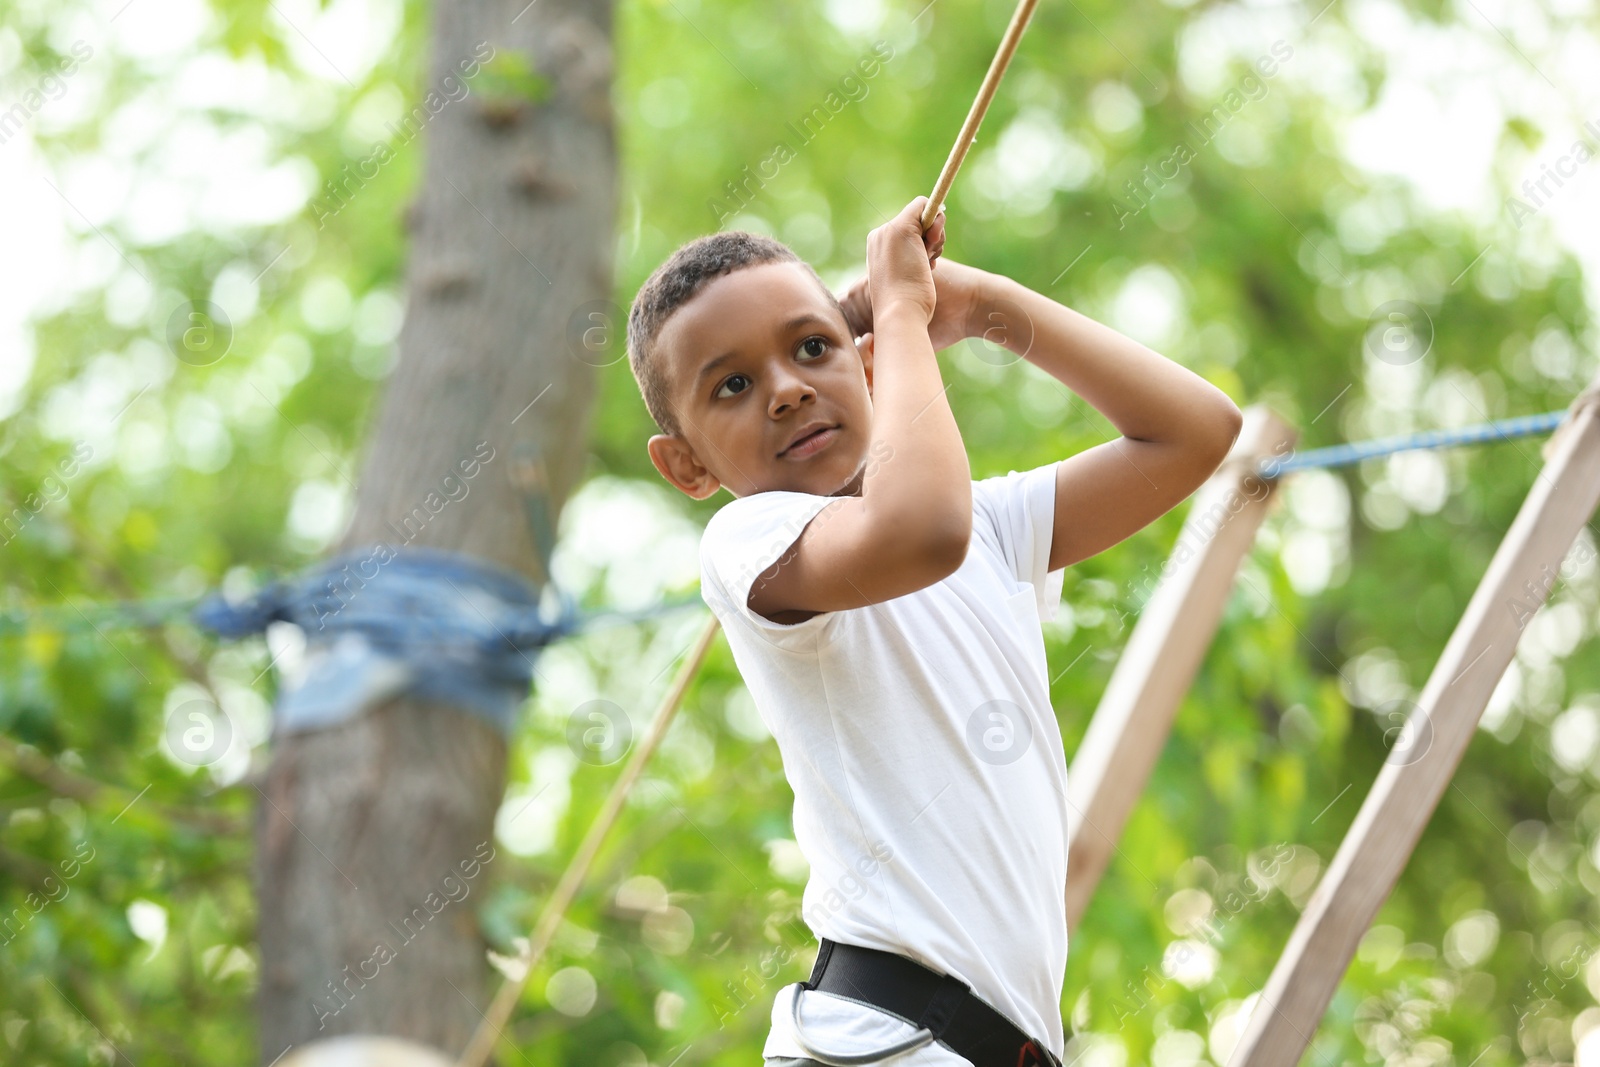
1382	166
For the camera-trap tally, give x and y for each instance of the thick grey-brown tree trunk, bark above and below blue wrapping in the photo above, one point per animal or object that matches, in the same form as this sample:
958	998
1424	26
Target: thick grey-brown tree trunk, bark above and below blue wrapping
513	234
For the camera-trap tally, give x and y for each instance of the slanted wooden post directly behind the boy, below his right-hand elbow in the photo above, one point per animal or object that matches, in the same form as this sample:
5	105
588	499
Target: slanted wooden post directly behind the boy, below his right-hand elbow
1164	655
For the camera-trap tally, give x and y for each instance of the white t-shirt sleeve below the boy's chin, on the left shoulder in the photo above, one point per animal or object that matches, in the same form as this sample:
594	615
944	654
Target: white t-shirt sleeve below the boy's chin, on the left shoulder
743	541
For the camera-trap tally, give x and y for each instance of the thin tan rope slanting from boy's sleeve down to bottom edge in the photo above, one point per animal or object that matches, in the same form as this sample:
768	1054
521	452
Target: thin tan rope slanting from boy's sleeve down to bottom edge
490	1029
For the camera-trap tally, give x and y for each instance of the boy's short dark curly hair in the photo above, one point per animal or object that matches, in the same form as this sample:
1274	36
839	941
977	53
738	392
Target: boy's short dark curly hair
674	284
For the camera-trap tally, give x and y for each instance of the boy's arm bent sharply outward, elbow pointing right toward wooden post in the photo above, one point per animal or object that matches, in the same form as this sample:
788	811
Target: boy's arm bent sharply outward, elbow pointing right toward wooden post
1177	428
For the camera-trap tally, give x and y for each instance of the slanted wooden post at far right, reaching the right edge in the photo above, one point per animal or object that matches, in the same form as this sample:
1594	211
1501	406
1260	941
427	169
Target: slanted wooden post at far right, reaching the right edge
1410	785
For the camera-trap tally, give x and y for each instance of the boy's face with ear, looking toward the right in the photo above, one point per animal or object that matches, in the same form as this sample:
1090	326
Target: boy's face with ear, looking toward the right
754	364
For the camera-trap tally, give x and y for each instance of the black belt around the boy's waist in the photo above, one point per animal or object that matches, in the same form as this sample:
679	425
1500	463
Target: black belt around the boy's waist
940	1004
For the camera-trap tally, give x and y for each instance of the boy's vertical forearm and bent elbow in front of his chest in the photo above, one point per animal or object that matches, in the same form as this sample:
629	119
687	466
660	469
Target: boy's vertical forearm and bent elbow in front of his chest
913	521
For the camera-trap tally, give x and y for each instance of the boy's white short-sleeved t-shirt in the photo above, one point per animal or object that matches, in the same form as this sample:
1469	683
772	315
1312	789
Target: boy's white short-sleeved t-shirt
926	761
